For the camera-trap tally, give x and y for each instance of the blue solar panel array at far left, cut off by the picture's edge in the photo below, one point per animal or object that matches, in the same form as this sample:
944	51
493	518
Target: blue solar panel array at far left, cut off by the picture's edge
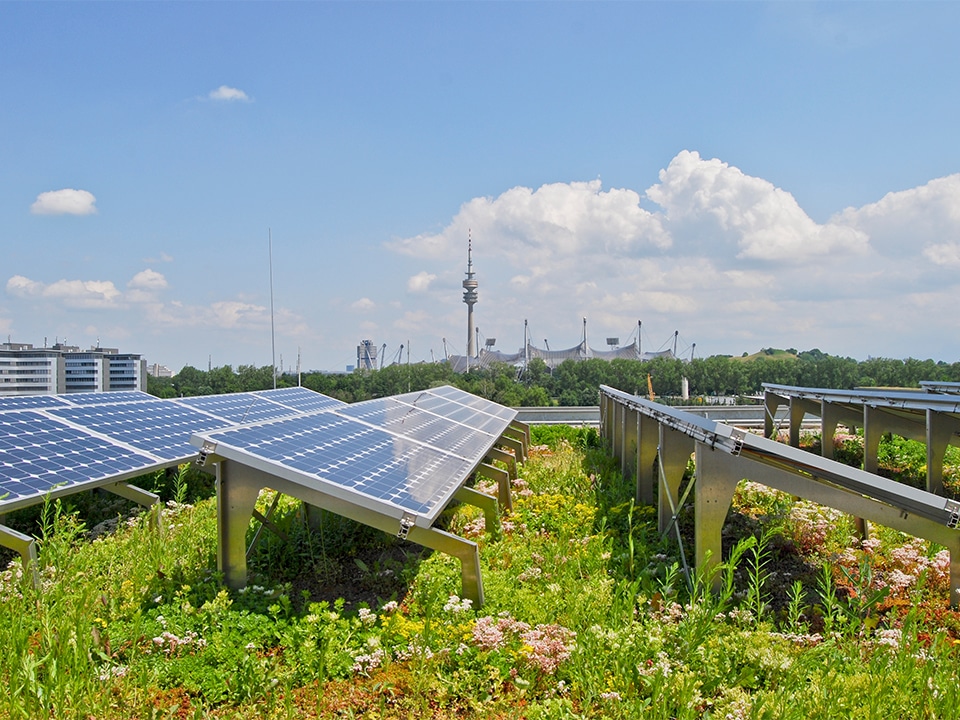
58	444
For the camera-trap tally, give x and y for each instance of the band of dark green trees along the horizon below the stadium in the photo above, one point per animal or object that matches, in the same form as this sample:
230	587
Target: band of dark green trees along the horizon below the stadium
577	383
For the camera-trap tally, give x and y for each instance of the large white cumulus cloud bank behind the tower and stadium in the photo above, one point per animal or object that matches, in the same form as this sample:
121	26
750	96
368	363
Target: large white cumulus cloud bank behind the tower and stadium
707	249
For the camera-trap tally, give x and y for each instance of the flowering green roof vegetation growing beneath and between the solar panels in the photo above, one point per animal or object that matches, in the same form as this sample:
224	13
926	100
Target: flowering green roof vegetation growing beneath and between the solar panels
588	615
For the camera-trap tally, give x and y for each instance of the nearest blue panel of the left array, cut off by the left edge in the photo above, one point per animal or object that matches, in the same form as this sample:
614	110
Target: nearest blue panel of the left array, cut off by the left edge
39	454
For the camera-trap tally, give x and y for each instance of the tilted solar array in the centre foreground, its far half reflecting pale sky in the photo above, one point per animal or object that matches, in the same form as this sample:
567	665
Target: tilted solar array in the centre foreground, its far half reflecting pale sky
408	453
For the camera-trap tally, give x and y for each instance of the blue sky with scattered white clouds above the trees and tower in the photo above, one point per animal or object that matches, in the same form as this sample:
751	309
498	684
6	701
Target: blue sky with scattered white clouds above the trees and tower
735	175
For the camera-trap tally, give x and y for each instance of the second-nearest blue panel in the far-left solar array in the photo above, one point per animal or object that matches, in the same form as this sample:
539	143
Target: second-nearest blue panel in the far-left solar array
160	427
